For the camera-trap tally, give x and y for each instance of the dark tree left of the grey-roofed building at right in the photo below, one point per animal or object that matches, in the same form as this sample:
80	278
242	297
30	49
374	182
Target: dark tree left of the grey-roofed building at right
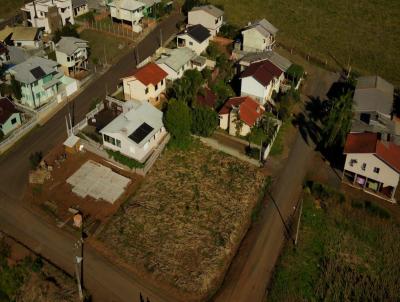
338	121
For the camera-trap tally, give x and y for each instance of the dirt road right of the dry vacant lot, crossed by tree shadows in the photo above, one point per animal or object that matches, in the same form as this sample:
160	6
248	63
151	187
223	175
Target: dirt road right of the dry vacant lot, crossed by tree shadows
252	268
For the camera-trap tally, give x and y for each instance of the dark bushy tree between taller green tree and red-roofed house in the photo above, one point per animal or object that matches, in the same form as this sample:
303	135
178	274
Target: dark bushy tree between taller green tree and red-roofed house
204	121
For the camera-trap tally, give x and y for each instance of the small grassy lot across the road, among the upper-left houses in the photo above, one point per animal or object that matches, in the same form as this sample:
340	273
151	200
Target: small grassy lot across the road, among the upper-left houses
102	45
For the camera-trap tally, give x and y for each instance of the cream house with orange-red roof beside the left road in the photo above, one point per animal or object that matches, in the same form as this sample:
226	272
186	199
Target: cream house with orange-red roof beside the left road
146	84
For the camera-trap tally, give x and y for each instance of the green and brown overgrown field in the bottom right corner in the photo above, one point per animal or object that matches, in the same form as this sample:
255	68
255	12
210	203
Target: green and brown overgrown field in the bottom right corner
346	252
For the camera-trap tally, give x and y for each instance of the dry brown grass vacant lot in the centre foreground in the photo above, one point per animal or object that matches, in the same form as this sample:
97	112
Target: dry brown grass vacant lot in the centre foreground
188	218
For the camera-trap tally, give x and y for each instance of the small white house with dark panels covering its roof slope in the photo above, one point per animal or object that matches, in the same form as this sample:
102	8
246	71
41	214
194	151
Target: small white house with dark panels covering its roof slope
195	37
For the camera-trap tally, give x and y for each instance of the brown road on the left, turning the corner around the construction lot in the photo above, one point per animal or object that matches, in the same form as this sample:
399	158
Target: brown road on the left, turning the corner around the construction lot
103	279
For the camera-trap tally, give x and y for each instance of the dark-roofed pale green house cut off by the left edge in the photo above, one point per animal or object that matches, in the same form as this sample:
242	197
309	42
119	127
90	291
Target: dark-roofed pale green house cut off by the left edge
10	116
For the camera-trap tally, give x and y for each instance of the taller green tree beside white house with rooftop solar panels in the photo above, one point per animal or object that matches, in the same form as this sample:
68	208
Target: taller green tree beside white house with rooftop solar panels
178	122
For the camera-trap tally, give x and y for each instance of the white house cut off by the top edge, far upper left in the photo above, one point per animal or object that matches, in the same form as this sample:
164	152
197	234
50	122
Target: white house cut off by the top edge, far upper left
49	14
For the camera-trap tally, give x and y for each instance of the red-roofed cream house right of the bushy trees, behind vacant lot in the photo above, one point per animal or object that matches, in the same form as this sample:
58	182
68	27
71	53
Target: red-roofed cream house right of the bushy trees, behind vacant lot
239	115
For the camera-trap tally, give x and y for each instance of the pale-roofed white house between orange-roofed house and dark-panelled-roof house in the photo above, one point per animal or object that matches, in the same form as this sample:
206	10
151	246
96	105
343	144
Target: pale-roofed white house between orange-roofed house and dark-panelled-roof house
176	61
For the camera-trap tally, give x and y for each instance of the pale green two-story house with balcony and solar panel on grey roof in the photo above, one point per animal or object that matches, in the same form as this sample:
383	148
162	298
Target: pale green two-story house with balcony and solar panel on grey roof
41	81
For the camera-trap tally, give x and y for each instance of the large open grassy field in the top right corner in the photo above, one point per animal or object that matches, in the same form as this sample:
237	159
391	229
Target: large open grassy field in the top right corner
366	32
